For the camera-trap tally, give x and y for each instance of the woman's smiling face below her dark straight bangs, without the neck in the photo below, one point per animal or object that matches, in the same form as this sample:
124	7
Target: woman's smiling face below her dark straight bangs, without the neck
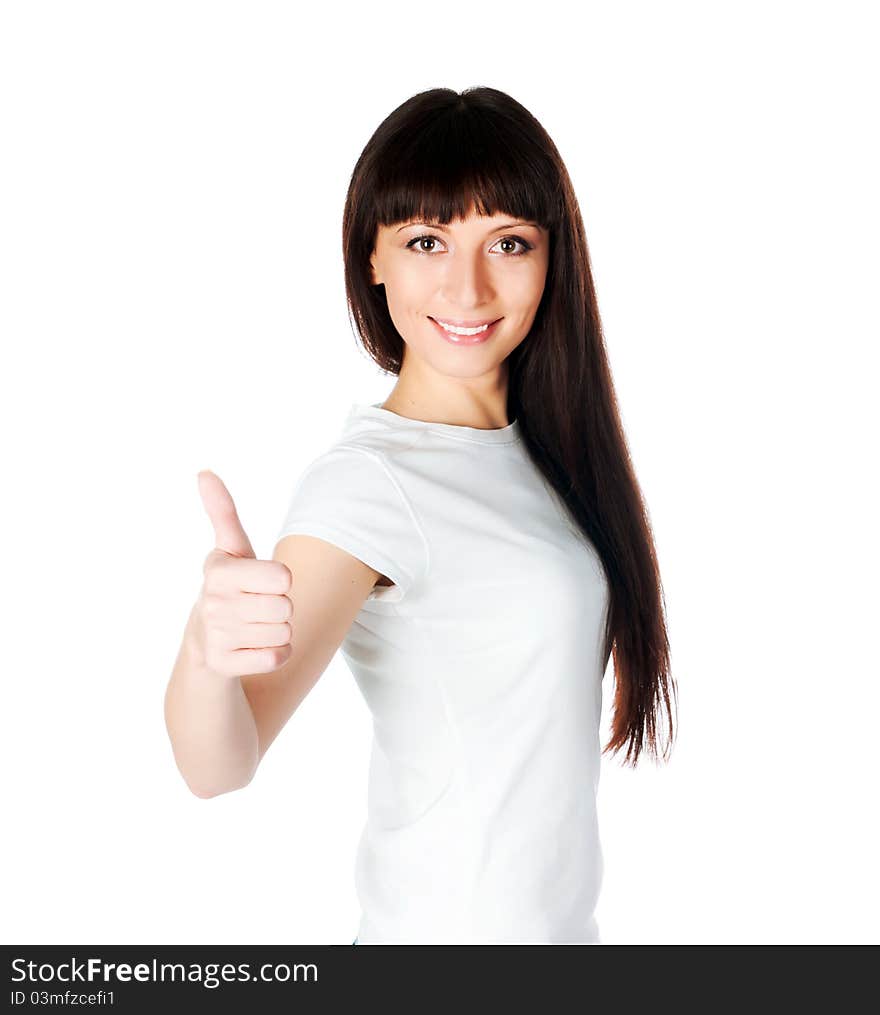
473	270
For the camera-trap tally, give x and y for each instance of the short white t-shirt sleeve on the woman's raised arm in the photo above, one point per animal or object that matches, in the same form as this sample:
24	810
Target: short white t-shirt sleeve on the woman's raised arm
351	498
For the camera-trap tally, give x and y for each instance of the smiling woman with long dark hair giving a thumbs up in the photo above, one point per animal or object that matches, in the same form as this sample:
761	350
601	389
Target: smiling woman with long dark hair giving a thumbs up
477	546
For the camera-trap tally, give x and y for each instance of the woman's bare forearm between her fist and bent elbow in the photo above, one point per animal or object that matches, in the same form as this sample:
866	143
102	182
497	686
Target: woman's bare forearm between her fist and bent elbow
211	724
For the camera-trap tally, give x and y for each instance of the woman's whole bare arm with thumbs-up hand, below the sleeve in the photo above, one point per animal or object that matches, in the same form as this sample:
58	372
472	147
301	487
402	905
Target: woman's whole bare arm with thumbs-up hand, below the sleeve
256	642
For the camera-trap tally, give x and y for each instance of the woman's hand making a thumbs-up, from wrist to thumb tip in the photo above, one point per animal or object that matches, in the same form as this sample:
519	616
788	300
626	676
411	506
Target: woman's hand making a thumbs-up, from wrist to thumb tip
242	620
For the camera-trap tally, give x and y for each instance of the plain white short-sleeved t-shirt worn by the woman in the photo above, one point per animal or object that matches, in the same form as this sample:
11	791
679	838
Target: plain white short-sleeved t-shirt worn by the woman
483	668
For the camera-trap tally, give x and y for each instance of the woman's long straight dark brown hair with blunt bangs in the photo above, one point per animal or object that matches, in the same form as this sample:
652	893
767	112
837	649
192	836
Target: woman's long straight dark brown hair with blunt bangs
436	157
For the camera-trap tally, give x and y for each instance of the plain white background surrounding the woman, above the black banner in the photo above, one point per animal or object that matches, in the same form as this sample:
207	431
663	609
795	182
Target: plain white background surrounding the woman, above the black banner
171	190
